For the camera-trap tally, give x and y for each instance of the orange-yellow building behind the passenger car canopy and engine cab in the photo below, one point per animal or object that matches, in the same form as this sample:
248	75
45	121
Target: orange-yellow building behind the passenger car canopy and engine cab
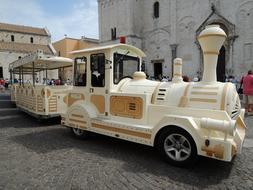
65	46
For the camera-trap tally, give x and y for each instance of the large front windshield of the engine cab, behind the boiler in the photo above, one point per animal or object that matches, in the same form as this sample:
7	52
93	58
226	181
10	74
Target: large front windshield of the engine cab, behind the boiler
124	66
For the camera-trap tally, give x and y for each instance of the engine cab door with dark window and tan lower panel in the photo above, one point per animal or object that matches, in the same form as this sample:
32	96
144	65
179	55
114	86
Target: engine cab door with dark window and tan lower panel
98	82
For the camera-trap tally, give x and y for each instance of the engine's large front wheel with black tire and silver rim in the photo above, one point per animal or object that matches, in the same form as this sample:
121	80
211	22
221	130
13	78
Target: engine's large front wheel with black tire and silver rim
181	151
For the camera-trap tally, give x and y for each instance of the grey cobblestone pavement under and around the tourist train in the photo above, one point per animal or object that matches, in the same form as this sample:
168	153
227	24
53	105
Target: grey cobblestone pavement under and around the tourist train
44	155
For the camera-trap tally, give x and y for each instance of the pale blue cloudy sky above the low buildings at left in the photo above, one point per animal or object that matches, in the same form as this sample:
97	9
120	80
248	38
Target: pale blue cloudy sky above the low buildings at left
74	18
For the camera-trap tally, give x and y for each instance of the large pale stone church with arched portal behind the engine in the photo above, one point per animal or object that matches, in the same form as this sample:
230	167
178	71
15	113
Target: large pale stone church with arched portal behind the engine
165	29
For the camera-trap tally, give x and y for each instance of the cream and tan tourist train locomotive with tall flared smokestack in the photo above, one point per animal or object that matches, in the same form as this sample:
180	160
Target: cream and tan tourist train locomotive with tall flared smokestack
182	119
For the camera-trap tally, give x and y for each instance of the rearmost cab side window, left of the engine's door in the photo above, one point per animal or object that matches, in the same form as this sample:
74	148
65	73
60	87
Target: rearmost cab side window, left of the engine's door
80	71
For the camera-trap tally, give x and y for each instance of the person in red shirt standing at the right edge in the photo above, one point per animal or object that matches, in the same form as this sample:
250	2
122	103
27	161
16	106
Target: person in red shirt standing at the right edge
247	82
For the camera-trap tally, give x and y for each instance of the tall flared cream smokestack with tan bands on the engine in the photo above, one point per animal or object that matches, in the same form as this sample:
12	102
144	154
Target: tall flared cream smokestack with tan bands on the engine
211	40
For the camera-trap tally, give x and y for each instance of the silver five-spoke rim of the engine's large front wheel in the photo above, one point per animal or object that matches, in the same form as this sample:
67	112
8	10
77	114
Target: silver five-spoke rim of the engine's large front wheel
177	147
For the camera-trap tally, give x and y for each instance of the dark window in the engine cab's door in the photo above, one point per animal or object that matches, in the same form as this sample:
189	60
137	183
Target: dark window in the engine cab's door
97	62
